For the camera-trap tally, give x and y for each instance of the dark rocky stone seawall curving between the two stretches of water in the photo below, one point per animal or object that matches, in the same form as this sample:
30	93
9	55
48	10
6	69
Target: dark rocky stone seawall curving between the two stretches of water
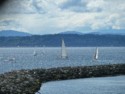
29	81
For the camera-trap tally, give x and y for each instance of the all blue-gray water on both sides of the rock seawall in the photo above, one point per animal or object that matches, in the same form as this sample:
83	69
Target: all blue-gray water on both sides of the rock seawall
50	57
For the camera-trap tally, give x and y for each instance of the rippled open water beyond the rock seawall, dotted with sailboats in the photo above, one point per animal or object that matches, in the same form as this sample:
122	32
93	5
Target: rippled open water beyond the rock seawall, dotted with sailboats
50	57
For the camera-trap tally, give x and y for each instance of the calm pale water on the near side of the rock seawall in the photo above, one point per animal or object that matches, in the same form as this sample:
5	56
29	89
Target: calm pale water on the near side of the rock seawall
104	85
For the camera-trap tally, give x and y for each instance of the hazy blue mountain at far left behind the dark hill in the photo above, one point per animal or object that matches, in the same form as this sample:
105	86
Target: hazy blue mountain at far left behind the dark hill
7	33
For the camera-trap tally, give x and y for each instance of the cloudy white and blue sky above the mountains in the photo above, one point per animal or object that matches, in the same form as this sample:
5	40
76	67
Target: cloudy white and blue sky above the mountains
54	16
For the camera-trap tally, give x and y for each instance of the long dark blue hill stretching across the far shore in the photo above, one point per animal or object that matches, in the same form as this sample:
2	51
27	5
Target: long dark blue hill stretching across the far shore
71	40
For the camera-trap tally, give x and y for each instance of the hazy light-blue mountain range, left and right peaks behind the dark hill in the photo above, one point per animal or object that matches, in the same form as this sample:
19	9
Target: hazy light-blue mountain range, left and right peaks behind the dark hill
13	33
